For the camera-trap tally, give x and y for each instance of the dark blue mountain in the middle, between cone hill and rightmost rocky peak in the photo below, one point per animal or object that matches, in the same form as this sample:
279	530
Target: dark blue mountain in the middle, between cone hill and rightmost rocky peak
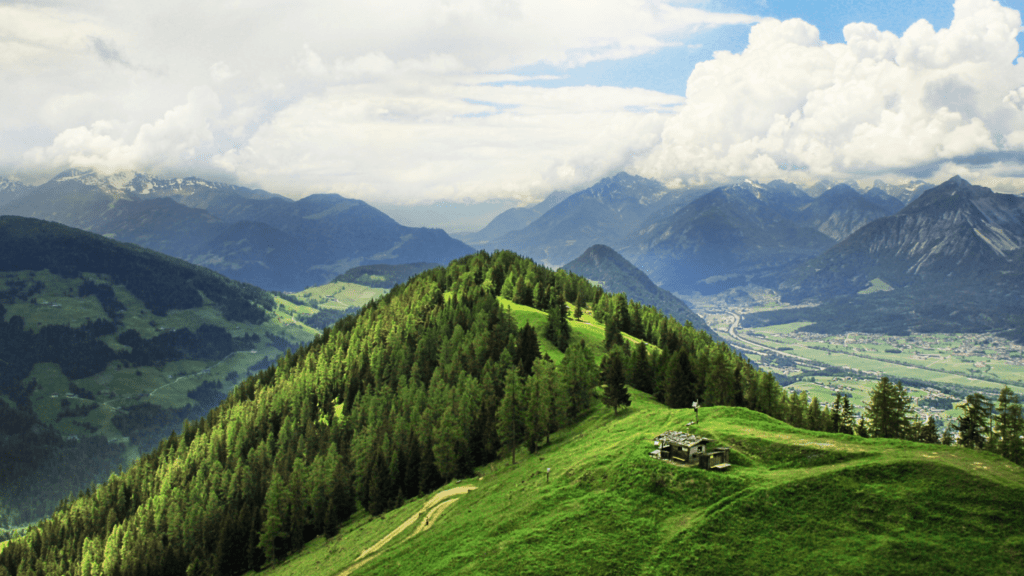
720	240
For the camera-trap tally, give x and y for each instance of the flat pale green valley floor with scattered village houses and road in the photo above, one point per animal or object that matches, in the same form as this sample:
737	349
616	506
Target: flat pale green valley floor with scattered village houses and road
940	371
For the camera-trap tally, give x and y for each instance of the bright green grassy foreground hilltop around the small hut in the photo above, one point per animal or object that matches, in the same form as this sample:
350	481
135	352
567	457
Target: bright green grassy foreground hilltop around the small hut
877	507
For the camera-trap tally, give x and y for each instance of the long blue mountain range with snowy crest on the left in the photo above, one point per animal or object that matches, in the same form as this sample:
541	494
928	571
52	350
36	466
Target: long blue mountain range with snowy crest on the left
248	235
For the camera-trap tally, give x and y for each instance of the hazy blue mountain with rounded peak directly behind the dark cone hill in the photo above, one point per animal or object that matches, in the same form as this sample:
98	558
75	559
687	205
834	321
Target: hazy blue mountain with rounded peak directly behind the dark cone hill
605	214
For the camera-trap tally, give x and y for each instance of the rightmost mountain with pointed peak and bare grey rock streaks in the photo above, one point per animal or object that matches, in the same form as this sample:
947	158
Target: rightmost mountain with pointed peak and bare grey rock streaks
951	261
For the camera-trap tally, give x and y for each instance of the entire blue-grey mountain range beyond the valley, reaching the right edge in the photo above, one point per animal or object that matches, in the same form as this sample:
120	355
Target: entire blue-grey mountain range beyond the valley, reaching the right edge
949	261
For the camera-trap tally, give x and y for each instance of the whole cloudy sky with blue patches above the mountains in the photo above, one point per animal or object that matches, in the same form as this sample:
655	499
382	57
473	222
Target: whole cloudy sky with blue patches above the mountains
502	102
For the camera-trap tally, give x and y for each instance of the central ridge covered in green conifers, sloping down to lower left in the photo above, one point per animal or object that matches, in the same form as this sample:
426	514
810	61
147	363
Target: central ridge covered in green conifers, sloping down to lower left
426	384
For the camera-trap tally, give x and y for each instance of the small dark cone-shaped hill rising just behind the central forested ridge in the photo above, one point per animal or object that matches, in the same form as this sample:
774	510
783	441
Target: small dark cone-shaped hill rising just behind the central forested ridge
616	274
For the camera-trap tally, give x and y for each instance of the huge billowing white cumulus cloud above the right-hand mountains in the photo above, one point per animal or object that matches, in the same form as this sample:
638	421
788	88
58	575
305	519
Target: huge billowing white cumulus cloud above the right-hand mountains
791	106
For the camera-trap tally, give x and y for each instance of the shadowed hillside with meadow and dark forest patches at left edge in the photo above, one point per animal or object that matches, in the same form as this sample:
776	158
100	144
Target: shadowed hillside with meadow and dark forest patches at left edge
106	348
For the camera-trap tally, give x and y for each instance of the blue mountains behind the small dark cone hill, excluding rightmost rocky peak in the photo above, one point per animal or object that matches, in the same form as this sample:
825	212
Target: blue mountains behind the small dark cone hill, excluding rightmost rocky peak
696	239
